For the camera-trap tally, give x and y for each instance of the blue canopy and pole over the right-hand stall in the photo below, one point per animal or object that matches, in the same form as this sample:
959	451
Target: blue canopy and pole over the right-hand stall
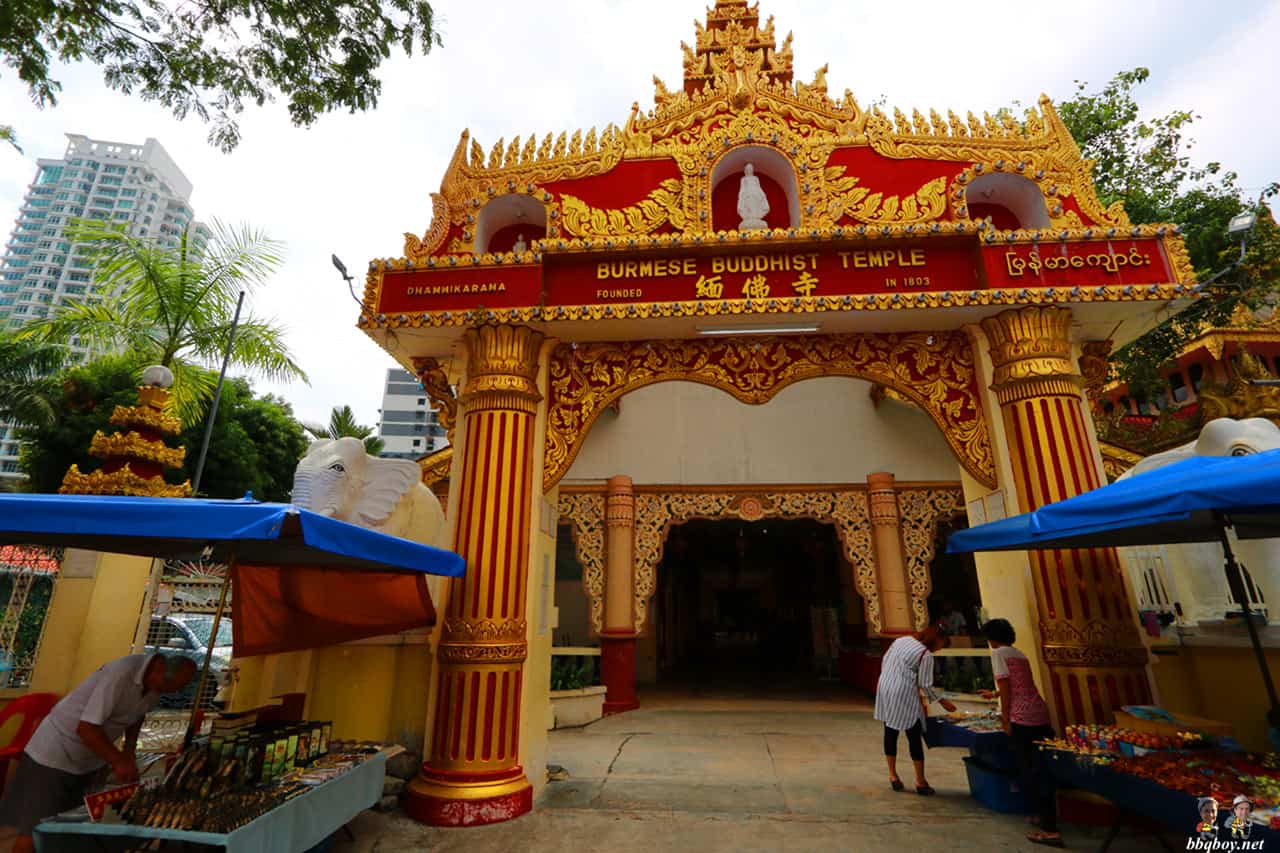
1196	500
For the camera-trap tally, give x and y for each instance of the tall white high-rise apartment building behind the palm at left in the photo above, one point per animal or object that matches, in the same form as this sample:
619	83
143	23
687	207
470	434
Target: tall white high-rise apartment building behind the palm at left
135	185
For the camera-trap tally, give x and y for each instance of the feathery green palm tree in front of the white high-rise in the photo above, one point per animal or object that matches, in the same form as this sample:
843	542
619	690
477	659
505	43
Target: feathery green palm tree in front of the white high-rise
173	307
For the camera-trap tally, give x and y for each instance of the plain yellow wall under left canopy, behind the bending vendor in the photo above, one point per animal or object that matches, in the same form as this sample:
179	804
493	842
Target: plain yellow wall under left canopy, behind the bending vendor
92	619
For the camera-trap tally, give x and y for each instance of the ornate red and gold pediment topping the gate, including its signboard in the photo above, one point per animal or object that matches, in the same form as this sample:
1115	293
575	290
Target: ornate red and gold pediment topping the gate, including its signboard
890	209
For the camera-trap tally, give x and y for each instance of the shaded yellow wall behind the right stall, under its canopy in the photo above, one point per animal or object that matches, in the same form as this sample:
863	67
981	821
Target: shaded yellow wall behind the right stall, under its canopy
1219	685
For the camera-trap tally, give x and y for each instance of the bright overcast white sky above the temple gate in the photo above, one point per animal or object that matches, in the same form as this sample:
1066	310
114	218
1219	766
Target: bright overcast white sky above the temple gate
354	184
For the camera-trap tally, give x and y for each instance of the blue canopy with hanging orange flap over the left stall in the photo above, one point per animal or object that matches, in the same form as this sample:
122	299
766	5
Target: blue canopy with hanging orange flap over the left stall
280	556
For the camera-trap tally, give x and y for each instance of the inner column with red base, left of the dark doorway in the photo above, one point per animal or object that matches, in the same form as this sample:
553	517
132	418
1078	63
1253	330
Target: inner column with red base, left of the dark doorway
619	638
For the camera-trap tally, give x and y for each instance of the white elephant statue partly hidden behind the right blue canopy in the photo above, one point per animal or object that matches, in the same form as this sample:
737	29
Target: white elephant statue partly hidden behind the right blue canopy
1196	571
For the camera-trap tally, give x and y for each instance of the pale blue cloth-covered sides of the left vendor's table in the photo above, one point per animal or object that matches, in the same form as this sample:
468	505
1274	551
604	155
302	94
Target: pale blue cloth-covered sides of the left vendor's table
295	827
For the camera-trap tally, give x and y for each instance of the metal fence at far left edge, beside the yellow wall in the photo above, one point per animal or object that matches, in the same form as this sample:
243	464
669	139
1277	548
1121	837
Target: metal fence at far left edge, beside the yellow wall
28	578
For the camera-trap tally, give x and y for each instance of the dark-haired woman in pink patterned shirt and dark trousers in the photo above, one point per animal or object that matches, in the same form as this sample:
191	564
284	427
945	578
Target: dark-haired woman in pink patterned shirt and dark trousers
1026	720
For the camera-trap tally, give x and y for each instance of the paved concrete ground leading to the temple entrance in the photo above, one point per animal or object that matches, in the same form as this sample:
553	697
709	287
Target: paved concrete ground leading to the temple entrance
738	773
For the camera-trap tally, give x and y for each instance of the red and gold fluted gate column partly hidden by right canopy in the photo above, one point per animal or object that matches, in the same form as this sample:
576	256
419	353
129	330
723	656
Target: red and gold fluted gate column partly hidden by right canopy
1089	631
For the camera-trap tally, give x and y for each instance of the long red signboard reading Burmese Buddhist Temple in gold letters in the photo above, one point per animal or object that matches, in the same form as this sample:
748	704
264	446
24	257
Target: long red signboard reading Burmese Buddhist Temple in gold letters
760	272
